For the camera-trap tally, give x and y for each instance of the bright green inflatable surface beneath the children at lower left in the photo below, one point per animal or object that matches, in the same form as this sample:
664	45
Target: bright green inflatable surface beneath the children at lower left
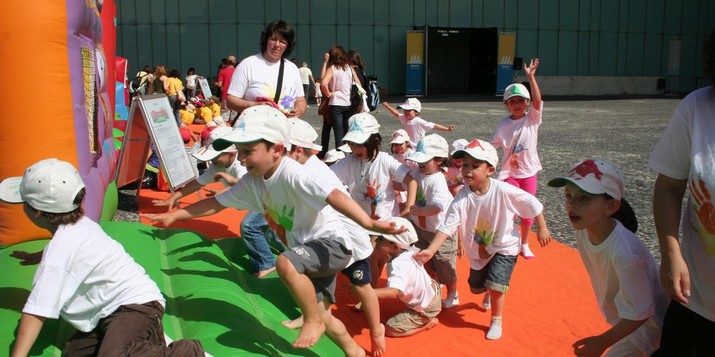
209	295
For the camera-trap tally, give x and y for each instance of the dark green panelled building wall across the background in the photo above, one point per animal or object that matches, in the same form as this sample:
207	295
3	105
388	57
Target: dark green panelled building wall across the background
574	38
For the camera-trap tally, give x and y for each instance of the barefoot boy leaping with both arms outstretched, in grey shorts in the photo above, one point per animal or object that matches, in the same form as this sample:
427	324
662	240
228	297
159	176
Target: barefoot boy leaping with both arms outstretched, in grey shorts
276	186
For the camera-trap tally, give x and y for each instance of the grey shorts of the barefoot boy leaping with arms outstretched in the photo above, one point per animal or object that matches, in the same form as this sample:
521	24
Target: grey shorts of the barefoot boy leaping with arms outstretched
320	260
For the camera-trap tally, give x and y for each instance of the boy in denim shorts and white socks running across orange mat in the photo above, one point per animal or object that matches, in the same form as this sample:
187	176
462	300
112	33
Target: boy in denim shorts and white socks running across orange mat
484	212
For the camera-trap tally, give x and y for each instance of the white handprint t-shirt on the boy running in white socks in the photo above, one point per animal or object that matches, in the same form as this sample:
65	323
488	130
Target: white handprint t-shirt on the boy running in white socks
490	218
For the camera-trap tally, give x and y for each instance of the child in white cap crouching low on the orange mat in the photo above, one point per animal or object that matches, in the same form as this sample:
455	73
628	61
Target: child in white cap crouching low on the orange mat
408	281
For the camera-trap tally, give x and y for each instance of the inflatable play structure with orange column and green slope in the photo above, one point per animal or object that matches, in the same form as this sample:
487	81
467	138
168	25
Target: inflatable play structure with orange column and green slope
61	60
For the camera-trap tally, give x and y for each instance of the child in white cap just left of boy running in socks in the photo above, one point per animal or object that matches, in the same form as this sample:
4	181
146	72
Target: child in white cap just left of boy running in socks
433	198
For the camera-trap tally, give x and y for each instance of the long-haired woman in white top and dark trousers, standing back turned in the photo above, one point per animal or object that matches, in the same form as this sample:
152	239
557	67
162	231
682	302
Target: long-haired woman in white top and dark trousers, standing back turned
336	85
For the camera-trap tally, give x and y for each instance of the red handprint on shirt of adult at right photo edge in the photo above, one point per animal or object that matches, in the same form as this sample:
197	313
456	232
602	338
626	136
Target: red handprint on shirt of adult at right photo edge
704	213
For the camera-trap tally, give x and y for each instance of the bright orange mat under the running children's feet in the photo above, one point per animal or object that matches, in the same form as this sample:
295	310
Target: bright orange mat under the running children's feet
550	303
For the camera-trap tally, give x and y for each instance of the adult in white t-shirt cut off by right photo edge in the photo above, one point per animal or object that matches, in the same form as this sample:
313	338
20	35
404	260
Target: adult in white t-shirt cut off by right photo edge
683	160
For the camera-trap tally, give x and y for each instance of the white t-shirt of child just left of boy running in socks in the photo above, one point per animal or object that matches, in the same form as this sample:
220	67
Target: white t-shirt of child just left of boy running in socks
431	190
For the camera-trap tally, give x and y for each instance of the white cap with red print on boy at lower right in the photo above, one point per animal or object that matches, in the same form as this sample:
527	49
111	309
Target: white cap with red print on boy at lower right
594	176
